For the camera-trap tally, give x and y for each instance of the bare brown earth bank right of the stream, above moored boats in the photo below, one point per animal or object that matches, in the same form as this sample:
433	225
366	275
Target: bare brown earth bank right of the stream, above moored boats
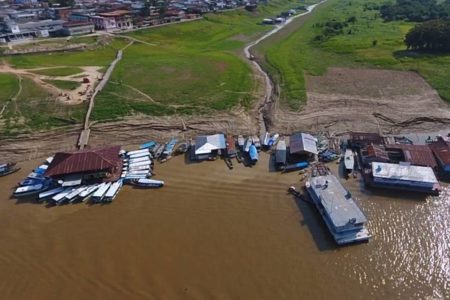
369	101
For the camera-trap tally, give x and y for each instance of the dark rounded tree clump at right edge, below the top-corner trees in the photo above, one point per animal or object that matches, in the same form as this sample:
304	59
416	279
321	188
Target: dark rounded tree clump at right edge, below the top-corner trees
431	35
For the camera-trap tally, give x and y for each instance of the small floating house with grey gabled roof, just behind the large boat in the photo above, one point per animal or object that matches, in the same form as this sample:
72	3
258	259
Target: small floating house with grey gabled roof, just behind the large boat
302	146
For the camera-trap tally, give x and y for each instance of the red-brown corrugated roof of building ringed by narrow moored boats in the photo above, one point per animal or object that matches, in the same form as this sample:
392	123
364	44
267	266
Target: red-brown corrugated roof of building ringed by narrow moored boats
65	163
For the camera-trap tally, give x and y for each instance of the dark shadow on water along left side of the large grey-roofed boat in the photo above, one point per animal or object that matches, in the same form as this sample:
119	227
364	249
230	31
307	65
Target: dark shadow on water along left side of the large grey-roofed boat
313	220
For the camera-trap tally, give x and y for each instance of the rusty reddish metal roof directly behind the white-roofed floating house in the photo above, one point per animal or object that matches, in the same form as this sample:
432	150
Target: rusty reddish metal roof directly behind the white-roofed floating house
420	155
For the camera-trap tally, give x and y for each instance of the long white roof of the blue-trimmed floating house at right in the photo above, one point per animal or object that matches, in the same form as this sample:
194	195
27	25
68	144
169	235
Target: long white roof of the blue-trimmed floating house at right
403	172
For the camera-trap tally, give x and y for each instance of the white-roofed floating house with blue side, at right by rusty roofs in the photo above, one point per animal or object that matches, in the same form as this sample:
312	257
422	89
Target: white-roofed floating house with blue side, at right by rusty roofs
402	177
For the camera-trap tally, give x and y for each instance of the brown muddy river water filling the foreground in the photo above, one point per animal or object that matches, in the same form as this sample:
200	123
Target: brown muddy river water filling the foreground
212	233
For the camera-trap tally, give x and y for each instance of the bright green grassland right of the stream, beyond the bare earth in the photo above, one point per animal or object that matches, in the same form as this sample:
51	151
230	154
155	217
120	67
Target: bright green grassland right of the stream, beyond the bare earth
299	54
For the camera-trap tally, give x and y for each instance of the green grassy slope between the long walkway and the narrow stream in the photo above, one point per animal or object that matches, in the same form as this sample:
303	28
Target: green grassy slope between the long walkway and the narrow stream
192	67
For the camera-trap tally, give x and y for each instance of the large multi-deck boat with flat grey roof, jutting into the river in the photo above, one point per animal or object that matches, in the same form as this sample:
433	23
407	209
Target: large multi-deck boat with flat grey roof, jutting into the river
342	216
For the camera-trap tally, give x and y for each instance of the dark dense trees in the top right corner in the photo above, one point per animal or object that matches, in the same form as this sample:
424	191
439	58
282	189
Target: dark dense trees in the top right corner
415	10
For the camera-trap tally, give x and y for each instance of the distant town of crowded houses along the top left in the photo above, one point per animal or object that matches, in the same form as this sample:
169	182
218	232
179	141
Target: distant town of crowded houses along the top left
22	20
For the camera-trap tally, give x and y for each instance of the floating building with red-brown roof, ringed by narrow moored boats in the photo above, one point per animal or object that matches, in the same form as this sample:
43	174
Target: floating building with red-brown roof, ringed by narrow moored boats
102	163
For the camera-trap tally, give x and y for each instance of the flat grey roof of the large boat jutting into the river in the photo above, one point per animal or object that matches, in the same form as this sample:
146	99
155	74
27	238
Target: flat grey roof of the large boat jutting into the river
337	201
